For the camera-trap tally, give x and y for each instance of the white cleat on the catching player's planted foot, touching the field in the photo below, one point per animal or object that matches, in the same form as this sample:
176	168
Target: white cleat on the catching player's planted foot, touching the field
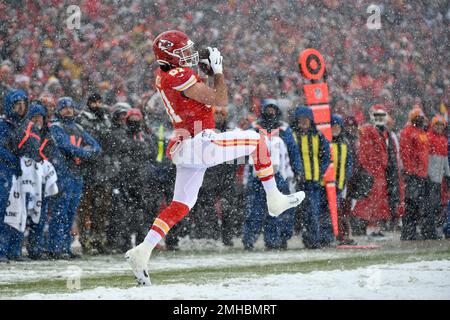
138	258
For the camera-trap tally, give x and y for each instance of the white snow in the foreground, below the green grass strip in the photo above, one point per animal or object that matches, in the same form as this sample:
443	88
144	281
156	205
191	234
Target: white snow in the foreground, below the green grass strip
417	280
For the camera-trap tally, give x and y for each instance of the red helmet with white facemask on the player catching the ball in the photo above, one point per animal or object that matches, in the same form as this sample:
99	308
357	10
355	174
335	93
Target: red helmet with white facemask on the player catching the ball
173	47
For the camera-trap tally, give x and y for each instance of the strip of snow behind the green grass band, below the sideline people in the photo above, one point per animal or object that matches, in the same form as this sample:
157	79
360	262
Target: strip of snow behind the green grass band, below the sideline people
197	253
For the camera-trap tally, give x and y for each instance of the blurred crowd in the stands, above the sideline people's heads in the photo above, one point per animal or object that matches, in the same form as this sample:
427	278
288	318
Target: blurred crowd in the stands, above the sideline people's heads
392	62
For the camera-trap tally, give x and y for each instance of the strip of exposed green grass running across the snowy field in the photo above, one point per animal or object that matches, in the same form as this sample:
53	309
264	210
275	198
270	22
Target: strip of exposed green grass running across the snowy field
201	275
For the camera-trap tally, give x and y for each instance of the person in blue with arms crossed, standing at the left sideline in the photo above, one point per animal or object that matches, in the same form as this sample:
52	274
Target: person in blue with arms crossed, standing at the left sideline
74	145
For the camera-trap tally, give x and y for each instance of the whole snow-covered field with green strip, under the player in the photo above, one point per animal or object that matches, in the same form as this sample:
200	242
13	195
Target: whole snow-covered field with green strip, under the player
207	270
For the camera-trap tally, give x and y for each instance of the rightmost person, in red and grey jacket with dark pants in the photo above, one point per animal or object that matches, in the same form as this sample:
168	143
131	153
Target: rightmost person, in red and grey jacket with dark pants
438	169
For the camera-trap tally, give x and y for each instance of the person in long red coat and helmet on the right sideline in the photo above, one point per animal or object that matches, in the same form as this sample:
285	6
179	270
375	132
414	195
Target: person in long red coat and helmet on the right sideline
377	154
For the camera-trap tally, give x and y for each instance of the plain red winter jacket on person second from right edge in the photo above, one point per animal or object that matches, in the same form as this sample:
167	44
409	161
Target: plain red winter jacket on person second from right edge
414	149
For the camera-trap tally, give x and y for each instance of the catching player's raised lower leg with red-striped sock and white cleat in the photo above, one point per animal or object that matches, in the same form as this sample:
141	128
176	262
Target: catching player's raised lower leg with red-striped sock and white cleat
277	202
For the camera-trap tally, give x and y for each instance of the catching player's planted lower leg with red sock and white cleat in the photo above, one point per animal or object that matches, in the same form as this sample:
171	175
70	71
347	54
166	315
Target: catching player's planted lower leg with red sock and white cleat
139	256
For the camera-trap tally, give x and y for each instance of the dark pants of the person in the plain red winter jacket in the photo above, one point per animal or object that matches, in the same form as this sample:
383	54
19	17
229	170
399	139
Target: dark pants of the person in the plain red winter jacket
416	198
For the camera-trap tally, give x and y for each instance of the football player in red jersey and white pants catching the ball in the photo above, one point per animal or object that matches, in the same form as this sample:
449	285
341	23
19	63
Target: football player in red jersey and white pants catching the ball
196	146
